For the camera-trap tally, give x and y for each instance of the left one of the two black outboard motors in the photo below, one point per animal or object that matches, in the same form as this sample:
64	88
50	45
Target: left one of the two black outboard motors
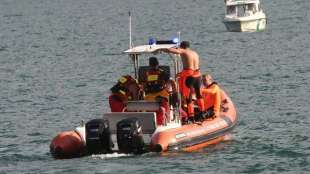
98	137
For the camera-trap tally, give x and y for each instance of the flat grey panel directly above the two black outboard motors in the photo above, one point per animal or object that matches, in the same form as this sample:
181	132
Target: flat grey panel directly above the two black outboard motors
147	119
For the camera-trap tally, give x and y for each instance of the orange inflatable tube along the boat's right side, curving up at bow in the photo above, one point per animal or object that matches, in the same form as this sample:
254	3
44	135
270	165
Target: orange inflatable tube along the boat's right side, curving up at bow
197	135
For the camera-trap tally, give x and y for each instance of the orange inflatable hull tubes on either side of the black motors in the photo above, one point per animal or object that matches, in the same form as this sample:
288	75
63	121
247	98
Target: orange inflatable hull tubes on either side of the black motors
188	138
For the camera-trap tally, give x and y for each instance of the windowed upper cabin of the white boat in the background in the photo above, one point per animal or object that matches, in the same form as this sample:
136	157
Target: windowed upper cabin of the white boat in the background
242	8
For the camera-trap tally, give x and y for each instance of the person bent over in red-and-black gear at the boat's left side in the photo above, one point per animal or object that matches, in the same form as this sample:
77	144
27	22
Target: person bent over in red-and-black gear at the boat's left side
124	90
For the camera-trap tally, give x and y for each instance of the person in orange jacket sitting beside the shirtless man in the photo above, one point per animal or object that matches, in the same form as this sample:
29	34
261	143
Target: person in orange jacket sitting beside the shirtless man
211	93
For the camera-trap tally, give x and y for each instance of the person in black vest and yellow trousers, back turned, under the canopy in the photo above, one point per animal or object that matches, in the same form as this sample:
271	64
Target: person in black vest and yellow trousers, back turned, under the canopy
155	88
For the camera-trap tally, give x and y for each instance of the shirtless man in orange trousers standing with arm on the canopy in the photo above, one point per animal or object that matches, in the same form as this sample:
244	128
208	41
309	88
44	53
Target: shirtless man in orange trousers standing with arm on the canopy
190	61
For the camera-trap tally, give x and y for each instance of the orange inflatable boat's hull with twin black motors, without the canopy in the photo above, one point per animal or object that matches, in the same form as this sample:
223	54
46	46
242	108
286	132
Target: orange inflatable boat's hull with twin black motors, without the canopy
135	132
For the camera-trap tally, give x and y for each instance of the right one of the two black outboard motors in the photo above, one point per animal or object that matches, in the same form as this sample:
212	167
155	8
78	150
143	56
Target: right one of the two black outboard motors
130	136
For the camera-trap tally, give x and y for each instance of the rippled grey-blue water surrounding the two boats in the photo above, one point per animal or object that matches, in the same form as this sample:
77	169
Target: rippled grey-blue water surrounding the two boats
58	60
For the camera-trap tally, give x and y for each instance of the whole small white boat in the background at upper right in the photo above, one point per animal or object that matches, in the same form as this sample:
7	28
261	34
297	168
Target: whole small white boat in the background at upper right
244	15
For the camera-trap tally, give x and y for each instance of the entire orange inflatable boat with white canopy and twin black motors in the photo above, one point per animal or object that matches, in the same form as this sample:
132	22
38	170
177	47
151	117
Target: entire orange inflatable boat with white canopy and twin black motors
135	129
